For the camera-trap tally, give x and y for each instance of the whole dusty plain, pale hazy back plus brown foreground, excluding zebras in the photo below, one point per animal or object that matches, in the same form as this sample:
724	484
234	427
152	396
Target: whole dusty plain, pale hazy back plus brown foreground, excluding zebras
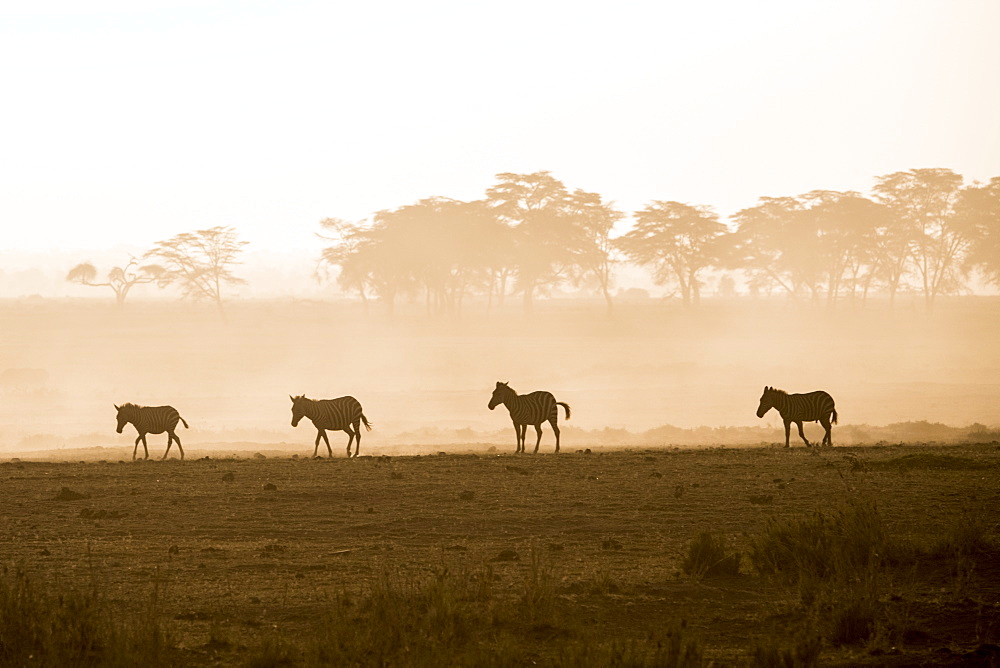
250	551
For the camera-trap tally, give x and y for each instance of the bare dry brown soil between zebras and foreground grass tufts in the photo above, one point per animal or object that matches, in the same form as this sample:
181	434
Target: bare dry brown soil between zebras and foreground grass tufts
238	551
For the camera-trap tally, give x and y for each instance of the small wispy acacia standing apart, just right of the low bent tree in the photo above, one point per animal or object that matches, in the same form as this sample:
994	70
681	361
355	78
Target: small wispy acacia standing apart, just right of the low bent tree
199	262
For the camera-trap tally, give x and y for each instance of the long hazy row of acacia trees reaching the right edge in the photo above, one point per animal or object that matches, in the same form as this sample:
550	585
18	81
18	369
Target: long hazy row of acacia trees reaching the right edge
919	229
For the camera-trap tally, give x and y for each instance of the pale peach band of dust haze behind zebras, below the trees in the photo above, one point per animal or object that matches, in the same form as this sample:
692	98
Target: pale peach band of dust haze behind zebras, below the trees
654	373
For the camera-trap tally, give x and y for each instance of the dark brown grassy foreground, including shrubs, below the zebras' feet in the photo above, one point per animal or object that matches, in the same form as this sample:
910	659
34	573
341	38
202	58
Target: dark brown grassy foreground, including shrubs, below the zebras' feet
581	562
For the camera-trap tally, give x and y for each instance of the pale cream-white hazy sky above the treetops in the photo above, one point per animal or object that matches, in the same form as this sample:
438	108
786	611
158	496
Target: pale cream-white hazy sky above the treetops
128	122
